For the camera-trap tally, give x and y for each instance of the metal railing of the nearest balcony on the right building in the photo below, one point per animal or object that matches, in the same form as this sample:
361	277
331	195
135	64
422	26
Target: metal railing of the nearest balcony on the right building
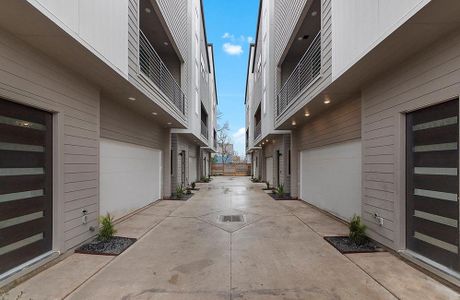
304	73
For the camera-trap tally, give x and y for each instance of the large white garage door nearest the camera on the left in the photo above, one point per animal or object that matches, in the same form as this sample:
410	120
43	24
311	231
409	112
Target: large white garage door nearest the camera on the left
130	177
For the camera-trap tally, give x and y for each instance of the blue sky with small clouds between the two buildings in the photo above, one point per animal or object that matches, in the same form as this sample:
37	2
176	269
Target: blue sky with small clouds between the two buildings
231	27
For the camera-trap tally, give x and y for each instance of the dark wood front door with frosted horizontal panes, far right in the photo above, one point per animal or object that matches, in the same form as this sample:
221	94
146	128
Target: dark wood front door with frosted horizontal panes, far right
432	211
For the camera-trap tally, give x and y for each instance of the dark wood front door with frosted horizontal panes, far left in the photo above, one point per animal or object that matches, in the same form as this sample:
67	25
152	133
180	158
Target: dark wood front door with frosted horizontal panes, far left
25	184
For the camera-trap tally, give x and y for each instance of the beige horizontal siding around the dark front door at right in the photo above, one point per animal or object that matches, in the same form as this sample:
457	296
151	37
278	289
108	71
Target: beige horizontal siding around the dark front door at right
428	78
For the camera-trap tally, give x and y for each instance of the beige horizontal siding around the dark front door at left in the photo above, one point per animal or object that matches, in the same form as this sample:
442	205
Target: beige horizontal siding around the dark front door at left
28	77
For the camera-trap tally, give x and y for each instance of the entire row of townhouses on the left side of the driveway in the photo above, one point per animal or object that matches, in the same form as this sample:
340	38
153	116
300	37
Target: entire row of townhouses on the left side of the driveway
106	107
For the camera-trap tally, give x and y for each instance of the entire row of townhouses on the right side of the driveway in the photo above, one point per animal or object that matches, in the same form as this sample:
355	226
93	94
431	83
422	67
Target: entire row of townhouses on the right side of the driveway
353	105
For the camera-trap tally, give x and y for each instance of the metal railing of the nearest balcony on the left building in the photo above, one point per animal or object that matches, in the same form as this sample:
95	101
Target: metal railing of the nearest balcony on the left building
153	67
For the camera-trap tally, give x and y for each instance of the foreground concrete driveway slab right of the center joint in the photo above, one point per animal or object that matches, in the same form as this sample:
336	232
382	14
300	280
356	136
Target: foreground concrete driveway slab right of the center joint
281	258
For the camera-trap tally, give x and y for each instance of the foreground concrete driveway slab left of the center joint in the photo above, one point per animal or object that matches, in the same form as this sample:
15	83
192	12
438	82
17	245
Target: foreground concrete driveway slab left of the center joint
181	257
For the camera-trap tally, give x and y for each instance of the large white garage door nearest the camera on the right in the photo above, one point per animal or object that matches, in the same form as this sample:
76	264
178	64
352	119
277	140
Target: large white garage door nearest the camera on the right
330	178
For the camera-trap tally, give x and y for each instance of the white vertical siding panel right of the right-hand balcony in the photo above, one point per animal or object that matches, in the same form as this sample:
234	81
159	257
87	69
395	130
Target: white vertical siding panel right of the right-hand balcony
359	25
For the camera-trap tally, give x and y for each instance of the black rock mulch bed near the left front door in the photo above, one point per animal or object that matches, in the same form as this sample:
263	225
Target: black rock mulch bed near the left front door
114	246
